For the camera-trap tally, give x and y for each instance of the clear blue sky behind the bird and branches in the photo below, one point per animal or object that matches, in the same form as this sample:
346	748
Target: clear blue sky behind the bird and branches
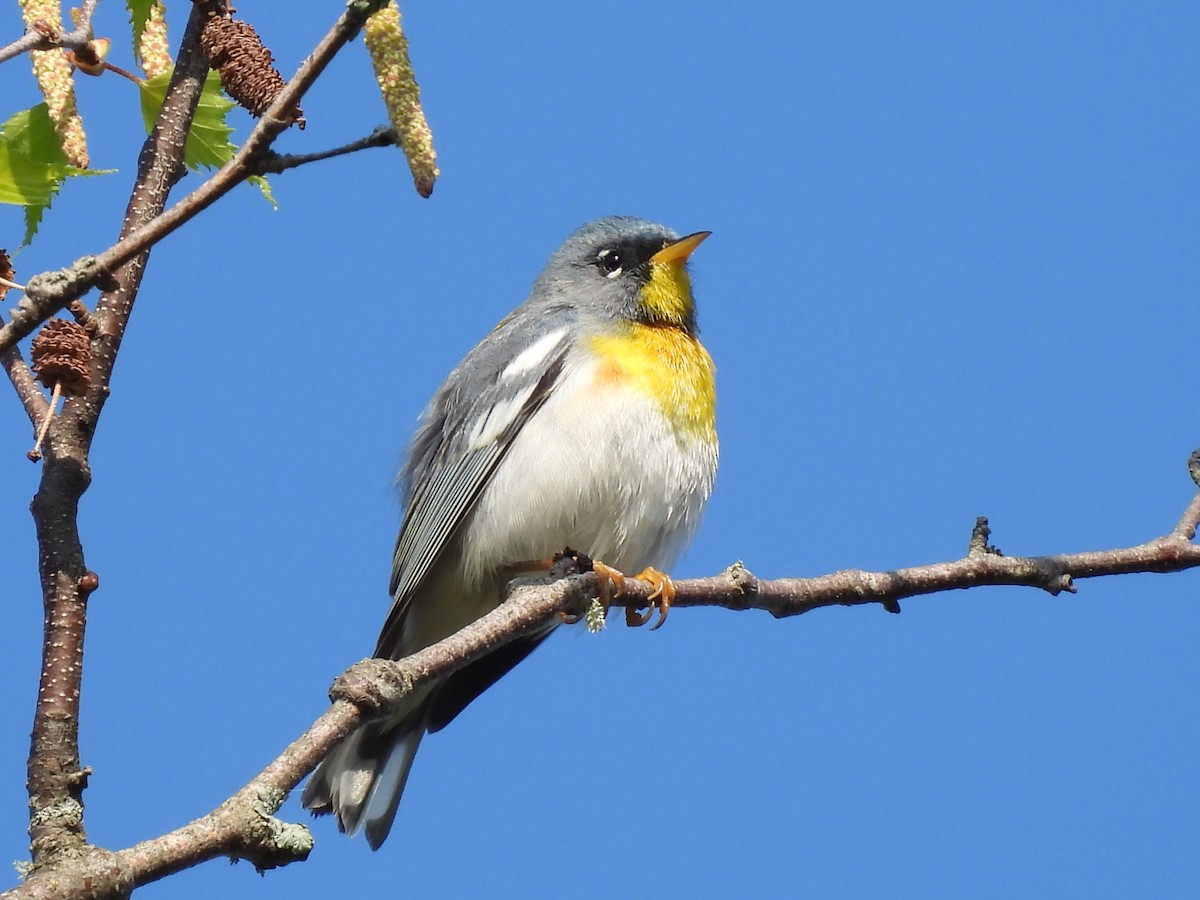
953	273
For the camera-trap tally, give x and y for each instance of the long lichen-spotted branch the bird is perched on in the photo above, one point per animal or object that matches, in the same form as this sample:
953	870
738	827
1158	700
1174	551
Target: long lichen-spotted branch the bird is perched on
244	826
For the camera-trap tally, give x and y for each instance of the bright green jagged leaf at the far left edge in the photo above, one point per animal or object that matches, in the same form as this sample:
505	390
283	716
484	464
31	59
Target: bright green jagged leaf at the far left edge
33	166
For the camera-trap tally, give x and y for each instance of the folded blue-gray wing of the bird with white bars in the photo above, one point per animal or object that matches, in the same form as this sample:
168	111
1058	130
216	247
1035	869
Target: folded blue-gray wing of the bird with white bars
466	431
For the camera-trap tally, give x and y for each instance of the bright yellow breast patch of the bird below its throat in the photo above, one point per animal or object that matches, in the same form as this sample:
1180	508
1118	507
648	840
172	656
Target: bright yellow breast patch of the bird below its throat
668	364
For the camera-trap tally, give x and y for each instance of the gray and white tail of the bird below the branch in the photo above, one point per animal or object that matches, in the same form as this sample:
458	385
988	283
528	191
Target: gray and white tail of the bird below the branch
362	782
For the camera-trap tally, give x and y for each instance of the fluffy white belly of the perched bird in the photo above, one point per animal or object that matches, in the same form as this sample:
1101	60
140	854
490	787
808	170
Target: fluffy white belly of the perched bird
551	491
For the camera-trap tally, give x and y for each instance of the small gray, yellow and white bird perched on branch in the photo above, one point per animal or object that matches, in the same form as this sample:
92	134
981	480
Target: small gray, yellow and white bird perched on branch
585	422
